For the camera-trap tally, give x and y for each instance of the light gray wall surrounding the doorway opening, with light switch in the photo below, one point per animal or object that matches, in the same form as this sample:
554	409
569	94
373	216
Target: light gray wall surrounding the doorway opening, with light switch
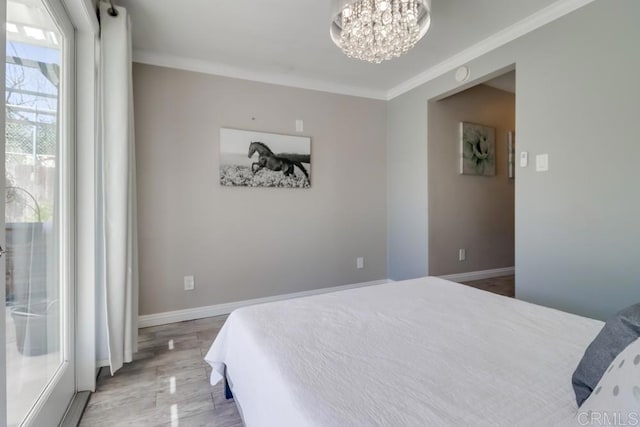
578	225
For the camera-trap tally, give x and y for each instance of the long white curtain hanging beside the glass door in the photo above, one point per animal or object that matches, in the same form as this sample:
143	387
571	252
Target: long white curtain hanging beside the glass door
117	230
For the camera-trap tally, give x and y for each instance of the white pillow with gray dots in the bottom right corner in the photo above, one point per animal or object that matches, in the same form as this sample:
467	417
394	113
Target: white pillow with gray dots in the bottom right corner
616	399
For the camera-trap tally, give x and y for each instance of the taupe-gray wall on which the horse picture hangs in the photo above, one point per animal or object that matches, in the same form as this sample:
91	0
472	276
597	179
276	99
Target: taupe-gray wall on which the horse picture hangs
243	243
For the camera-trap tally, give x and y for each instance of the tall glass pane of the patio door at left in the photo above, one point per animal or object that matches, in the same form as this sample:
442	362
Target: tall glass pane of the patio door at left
33	301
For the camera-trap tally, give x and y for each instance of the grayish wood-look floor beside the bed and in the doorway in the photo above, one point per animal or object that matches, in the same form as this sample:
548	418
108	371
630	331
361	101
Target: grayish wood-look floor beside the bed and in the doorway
168	382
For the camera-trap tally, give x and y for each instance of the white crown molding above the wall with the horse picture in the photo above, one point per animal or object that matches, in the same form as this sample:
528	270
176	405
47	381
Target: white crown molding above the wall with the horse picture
224	70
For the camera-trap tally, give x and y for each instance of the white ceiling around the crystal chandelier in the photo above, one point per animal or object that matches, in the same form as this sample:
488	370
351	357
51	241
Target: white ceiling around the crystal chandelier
287	41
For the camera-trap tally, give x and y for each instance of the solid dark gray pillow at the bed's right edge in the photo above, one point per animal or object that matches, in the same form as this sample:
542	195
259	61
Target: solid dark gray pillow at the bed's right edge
619	331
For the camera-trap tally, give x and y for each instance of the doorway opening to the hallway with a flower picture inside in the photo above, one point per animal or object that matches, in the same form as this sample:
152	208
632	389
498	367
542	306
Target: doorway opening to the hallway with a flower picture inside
472	185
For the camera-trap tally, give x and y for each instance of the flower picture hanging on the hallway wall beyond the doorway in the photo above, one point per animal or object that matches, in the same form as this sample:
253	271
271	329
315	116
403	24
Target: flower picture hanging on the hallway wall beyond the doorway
477	149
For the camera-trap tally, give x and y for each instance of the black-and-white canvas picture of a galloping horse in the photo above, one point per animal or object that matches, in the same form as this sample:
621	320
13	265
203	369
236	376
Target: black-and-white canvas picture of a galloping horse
260	159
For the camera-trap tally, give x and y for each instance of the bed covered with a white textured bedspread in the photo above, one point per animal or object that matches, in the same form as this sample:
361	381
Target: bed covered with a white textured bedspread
424	352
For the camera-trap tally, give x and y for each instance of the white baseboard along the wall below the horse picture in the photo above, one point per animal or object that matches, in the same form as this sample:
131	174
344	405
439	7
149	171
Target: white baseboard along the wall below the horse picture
156	319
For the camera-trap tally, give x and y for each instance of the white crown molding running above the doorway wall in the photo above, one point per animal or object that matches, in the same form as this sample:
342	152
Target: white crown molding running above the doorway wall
520	28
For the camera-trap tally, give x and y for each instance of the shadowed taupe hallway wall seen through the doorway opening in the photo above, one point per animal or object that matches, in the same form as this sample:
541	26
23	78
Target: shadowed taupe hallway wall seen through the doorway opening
471	212
